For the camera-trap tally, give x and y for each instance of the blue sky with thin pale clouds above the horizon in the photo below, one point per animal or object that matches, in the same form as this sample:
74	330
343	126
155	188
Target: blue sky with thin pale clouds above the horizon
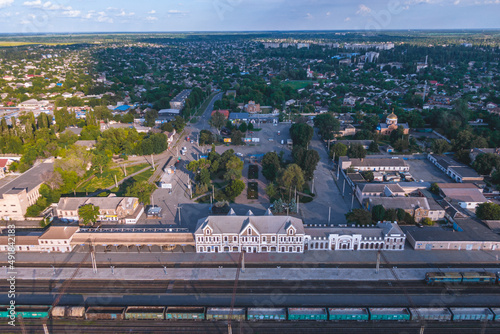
35	16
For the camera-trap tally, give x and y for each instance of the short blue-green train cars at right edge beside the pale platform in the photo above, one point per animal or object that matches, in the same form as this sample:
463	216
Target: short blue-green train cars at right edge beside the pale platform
473	277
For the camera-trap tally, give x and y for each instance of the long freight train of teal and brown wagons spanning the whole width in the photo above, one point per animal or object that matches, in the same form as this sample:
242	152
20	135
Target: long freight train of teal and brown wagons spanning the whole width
197	313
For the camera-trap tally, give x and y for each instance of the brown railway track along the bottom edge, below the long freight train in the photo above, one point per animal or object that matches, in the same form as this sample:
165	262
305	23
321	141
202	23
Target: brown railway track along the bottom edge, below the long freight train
158	326
